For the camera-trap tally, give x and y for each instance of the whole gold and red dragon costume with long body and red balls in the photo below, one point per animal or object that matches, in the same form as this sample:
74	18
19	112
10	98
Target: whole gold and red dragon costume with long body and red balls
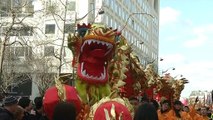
107	73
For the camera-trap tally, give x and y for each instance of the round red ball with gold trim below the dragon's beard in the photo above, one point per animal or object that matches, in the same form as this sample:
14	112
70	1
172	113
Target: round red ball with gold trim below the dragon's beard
111	109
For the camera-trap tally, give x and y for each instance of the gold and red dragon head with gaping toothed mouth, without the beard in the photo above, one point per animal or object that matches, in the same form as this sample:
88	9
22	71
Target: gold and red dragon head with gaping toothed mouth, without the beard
93	48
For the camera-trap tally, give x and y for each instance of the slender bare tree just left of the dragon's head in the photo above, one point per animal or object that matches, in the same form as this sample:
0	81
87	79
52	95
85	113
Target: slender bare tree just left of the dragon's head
61	16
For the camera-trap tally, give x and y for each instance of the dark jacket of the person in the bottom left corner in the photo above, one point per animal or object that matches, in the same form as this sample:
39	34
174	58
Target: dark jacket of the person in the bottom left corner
5	114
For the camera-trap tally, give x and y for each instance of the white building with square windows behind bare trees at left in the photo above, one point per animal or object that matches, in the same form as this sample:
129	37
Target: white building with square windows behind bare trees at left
41	26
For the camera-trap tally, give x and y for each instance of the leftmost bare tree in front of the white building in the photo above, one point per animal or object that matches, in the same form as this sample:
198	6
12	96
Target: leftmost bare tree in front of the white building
9	75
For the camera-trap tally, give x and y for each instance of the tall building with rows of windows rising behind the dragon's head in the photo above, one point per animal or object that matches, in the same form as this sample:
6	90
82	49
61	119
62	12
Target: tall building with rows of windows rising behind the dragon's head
138	20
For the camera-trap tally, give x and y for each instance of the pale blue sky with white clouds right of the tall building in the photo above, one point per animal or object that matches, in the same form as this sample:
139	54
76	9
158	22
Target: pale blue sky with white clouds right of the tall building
186	41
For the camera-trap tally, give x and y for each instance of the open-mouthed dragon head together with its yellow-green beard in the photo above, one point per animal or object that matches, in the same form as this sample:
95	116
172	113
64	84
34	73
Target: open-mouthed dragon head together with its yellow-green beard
93	48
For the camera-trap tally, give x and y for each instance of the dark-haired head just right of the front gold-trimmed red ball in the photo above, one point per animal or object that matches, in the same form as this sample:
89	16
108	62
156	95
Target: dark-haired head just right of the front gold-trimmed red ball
146	111
